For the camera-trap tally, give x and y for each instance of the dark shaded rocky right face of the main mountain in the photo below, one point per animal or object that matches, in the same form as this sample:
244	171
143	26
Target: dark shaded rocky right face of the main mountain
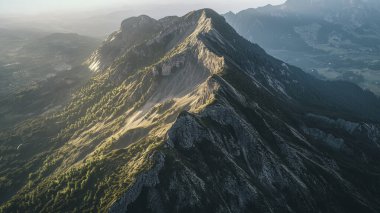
246	152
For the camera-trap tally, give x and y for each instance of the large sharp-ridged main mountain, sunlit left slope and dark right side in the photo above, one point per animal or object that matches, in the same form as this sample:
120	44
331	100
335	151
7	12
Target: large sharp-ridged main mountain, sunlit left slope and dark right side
185	115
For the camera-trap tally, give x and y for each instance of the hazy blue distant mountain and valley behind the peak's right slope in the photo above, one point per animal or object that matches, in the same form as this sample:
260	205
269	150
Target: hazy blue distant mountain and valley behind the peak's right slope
335	40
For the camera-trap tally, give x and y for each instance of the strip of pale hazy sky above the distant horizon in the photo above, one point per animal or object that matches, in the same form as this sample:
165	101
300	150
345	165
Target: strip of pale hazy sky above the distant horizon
44	6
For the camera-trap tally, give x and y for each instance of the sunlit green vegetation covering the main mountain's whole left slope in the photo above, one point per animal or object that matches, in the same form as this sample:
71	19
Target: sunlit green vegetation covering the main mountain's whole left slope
86	155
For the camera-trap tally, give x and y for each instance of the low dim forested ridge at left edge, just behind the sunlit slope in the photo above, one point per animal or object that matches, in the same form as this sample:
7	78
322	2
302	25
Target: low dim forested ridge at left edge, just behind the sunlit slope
42	97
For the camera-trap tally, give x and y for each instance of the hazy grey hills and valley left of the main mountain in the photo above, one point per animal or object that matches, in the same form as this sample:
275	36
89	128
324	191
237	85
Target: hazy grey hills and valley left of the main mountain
39	72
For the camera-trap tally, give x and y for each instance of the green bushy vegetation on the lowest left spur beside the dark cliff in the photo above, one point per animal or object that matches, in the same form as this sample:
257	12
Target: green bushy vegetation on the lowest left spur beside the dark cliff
91	186
